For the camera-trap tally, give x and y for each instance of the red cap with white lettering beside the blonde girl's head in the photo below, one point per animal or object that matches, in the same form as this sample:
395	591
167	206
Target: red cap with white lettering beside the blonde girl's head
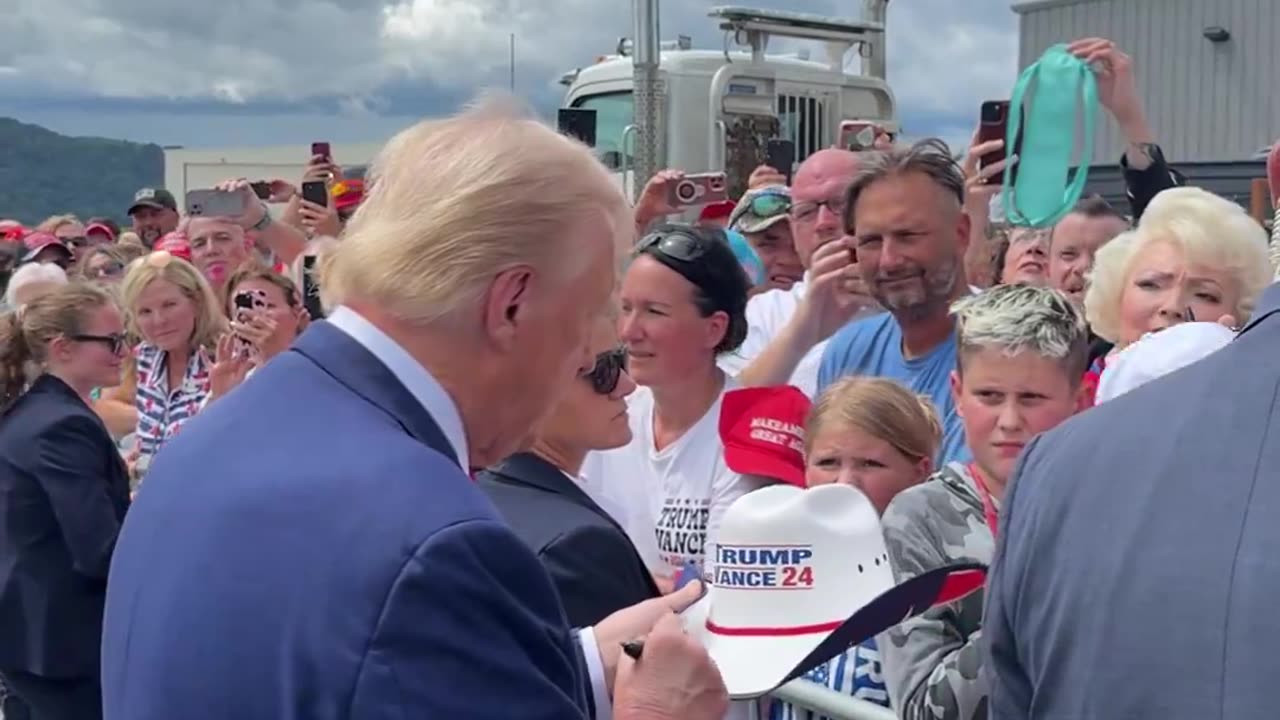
762	430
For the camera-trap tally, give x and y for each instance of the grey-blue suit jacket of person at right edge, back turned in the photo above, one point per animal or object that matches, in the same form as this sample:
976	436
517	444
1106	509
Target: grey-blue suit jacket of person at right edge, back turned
1137	569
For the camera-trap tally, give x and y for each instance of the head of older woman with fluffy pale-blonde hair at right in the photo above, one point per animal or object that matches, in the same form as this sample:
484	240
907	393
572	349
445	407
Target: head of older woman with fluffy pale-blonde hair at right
1194	257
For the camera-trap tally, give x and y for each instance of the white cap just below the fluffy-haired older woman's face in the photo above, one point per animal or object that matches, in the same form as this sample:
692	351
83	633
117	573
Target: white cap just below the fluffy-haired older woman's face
1159	354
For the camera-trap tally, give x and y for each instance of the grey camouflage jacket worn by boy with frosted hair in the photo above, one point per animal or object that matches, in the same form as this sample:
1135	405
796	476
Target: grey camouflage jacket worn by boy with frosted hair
932	663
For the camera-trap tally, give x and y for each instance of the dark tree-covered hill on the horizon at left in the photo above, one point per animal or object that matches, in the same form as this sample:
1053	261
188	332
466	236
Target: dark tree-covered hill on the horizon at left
44	174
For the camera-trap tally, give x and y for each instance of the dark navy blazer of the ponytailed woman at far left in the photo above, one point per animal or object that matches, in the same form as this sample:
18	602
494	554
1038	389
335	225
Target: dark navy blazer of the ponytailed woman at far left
63	495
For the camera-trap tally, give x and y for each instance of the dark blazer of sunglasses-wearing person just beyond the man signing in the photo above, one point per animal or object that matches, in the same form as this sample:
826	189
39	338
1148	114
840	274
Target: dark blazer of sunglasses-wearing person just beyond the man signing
591	559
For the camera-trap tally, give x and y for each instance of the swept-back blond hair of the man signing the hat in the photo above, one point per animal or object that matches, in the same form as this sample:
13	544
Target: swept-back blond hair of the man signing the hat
451	203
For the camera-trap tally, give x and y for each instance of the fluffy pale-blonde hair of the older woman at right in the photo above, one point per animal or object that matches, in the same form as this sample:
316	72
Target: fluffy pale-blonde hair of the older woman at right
1208	229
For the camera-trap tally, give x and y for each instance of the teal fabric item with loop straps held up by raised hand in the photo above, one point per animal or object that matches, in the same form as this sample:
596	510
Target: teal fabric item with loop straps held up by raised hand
1062	86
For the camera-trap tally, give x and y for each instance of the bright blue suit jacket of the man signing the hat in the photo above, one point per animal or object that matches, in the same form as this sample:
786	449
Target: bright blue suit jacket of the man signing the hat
309	549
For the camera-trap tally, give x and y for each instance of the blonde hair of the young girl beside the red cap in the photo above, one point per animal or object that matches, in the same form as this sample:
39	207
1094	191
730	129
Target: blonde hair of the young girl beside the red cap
883	409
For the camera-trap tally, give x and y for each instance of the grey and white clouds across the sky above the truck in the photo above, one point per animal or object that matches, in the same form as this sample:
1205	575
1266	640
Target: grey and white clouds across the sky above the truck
944	54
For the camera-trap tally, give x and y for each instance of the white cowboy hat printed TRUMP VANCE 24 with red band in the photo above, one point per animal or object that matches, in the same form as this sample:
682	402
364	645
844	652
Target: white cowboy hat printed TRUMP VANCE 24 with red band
799	576
